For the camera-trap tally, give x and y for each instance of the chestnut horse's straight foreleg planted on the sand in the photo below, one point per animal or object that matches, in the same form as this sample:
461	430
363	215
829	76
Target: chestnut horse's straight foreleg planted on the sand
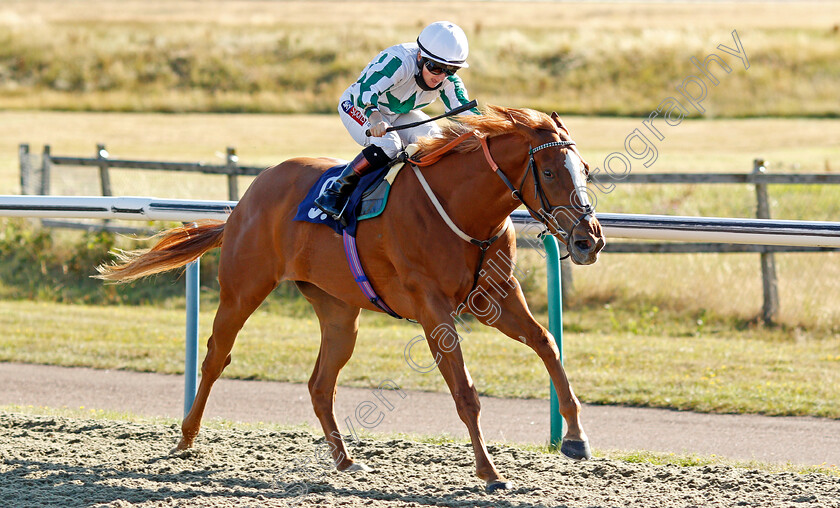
445	347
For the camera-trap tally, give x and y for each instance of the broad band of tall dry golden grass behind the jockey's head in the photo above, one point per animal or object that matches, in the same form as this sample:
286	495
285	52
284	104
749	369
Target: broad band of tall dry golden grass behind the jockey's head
296	57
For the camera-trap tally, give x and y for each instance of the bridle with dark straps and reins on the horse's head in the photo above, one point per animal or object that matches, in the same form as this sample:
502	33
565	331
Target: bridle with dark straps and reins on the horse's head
546	212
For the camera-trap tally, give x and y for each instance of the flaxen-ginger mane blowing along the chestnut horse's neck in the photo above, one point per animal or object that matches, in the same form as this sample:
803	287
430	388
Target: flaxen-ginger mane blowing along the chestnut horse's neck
495	121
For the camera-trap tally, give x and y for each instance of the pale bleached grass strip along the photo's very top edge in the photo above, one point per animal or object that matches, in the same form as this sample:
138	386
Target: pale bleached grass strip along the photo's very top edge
527	15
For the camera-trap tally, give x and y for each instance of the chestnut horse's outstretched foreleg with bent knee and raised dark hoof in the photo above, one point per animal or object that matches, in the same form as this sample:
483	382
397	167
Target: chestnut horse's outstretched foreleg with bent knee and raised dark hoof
513	318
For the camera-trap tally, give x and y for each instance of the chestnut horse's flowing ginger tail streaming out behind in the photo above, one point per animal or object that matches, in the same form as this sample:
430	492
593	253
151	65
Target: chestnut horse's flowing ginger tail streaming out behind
176	248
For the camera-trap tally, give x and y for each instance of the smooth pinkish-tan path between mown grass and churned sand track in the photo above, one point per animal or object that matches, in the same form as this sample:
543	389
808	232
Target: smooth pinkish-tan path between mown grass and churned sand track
807	441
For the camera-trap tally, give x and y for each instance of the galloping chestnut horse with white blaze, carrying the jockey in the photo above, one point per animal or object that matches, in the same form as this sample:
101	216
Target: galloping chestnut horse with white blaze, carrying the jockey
411	254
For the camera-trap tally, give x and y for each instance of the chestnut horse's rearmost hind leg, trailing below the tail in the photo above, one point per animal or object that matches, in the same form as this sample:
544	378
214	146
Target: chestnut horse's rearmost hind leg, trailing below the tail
238	298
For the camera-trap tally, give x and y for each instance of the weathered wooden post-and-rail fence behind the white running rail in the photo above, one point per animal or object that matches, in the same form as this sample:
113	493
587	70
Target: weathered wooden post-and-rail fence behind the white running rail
757	177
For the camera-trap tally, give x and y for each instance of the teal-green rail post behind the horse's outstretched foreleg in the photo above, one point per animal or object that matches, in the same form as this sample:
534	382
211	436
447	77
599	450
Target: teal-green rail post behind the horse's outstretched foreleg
555	326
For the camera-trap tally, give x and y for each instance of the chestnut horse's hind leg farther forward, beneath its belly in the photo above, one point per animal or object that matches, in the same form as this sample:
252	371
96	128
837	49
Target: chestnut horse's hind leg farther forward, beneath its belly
339	327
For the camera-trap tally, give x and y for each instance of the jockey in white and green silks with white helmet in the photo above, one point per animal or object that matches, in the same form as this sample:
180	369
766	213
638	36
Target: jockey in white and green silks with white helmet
390	92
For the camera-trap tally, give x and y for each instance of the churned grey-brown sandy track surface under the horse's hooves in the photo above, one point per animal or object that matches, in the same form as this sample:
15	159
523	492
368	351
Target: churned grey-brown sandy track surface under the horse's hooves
52	461
